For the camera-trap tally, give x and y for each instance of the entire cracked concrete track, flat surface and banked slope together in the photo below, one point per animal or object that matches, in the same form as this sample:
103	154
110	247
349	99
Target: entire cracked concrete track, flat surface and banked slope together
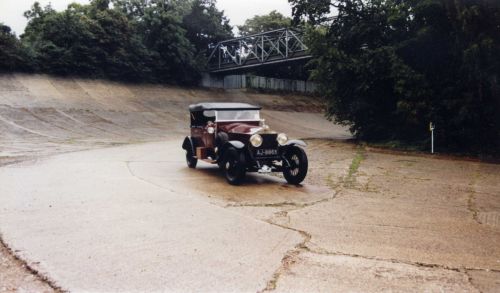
91	201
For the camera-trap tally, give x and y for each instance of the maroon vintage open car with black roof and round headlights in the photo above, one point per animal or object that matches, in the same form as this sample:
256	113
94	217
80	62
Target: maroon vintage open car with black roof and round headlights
234	136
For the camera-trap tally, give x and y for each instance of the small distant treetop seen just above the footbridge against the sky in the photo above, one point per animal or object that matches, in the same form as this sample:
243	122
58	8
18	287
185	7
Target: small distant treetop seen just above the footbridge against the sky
262	23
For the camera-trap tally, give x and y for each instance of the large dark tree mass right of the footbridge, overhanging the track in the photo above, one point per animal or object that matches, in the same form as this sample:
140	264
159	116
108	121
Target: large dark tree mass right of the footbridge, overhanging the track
389	67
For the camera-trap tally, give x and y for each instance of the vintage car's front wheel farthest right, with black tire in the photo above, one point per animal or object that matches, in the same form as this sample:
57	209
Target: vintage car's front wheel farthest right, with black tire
295	170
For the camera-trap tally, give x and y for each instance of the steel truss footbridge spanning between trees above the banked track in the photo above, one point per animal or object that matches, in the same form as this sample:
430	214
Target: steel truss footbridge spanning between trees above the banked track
278	46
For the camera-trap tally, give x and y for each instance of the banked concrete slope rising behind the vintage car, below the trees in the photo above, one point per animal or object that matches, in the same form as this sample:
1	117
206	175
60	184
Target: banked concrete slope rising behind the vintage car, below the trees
41	115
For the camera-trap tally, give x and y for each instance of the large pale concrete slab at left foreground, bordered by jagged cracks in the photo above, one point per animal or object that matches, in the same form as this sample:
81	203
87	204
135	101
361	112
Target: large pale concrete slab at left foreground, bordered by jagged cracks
127	234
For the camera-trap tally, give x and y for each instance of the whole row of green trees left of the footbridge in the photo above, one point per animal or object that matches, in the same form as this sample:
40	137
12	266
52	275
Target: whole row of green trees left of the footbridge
140	40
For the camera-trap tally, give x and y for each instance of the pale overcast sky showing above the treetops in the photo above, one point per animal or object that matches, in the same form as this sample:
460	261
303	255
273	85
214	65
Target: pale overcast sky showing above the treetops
11	11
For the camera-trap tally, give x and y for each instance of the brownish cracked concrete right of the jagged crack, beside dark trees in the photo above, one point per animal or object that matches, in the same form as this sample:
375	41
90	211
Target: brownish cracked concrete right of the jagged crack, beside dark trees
417	234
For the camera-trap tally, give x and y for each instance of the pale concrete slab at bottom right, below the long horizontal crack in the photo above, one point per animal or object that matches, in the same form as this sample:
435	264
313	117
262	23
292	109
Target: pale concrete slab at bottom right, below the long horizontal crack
337	273
